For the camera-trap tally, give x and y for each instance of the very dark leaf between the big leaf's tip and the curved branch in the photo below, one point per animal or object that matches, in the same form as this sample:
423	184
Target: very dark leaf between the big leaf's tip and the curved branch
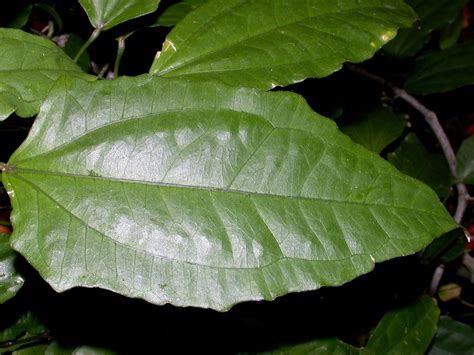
413	159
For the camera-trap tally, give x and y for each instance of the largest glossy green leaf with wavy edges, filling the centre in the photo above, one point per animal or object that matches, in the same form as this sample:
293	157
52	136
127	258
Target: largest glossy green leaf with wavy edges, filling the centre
205	195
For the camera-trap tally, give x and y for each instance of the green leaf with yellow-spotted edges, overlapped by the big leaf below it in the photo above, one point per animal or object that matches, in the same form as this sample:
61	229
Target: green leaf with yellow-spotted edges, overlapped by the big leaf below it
270	43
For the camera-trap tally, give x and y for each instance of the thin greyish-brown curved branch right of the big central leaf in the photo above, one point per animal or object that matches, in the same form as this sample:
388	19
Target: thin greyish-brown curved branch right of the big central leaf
432	119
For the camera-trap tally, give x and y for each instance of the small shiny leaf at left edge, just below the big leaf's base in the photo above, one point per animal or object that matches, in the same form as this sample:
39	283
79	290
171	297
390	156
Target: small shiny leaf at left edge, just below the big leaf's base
10	280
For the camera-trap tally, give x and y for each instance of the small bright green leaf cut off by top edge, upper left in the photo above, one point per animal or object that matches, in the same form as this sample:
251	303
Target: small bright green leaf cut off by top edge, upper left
105	14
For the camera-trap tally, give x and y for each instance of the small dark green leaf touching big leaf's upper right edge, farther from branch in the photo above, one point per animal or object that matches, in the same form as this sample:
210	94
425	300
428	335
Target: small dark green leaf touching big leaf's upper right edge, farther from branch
376	130
